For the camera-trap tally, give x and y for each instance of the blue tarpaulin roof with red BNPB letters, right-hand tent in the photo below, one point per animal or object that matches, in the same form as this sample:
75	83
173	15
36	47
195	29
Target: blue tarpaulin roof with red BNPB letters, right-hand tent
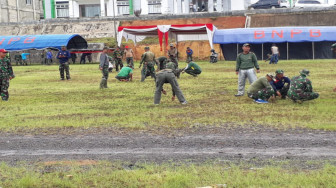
275	35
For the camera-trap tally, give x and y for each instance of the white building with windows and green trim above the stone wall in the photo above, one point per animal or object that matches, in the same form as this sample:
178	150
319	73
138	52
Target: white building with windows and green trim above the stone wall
110	8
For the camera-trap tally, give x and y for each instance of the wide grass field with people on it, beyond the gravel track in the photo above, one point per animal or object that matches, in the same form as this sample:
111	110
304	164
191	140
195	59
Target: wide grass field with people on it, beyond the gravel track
38	99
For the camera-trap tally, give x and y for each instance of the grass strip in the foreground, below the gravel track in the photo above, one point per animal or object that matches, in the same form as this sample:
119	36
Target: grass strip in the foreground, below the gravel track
106	174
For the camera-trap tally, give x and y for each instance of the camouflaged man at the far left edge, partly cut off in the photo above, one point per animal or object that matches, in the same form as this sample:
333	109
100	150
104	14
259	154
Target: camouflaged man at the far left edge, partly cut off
6	74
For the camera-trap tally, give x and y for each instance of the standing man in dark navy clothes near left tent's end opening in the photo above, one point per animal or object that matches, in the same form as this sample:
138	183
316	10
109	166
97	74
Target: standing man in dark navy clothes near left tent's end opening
63	56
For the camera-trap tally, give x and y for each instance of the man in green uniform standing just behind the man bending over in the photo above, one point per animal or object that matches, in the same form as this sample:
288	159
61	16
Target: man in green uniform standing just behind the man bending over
149	61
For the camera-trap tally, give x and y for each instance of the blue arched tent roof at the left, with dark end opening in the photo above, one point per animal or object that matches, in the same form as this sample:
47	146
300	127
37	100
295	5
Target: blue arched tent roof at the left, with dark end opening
26	42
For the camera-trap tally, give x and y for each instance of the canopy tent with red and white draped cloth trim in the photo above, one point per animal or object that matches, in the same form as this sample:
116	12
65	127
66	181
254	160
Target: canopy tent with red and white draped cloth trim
179	32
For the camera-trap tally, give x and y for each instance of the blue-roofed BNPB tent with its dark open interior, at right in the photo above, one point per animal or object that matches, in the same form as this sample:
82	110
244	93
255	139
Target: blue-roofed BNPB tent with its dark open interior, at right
293	42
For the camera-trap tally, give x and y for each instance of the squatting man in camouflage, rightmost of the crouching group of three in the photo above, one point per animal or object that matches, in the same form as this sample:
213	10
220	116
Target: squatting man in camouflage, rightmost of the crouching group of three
301	88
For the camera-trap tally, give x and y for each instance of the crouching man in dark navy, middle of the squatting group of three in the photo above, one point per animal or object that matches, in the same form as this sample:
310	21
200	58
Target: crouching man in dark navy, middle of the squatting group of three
281	84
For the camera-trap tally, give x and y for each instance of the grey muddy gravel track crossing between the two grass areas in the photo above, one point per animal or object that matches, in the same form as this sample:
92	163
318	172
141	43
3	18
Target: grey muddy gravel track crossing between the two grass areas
197	144
